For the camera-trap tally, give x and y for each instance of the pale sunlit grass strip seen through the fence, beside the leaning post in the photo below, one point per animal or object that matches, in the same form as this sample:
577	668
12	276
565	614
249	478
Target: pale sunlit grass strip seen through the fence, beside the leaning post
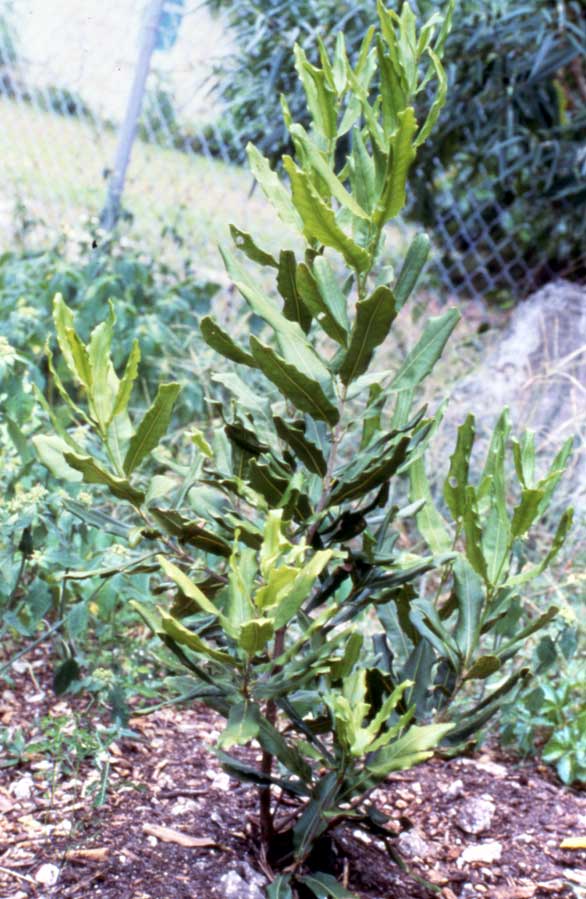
56	167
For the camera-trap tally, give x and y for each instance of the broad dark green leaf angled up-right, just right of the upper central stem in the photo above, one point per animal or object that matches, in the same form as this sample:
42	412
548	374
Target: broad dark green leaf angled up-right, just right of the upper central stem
374	317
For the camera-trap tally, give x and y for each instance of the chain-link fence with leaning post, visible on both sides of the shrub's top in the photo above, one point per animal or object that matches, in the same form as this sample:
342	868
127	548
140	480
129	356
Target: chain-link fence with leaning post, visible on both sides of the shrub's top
113	103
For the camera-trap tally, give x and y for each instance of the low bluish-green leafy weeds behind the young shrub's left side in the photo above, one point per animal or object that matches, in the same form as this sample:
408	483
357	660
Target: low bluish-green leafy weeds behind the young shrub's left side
43	530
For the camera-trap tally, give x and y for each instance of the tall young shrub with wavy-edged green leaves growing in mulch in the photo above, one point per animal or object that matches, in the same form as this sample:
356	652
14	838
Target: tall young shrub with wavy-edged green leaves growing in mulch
300	609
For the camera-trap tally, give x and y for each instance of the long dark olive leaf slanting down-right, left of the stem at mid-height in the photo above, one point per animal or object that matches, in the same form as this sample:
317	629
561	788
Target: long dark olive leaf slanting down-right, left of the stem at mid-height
305	393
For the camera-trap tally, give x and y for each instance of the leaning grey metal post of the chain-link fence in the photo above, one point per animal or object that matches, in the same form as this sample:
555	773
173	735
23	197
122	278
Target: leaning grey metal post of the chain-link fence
128	128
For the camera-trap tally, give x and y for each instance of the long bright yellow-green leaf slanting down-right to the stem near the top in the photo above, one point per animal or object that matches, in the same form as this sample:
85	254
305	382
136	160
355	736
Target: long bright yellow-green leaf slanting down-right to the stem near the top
319	220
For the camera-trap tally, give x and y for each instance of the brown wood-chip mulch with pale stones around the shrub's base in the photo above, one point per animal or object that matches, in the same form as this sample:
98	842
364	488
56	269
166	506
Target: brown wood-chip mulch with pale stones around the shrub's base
171	779
